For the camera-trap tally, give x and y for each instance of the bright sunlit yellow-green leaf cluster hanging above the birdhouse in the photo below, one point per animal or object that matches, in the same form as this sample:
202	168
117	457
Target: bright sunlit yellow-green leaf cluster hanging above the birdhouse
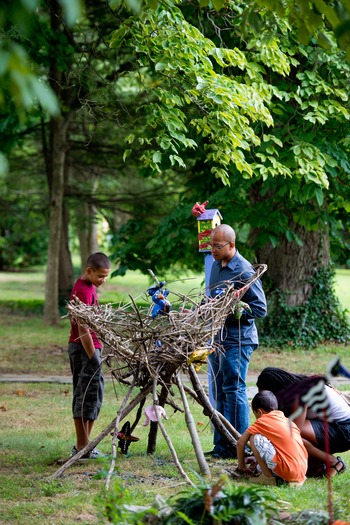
183	64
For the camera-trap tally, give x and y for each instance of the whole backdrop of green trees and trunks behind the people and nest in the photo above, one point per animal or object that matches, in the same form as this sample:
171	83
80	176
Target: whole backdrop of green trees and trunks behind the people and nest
153	110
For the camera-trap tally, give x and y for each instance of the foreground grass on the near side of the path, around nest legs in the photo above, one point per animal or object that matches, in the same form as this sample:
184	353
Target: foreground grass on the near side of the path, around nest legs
37	430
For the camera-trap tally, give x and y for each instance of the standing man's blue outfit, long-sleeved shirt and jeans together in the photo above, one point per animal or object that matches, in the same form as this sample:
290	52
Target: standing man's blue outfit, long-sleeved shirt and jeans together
236	342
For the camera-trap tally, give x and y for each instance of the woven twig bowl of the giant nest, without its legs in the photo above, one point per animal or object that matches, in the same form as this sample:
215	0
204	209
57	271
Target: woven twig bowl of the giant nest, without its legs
141	347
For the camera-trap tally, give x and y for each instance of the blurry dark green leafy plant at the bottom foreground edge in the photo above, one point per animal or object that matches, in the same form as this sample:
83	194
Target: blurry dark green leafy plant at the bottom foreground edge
217	504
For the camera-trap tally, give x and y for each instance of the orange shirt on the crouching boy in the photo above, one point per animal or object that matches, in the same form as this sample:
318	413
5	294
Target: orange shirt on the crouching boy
291	454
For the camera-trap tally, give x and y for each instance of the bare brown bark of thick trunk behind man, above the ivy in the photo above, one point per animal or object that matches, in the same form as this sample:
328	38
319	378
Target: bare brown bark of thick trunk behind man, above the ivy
291	266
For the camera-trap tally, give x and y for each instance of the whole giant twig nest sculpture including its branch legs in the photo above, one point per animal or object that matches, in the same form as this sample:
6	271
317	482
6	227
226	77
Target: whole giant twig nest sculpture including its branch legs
149	354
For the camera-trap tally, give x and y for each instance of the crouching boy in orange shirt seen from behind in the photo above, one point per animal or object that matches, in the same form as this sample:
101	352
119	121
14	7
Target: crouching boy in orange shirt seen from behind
275	442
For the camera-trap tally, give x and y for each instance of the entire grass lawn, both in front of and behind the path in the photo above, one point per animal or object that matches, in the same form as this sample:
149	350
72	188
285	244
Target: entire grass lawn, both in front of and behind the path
36	428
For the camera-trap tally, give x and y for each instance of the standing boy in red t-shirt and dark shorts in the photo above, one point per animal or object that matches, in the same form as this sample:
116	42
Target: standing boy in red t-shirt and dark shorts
85	357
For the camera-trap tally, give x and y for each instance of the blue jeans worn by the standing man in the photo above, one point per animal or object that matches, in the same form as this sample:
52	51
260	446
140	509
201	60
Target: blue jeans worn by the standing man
229	370
